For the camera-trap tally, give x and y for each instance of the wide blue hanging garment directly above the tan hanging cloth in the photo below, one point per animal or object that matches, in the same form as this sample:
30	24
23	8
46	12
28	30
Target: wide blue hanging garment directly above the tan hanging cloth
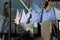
48	15
